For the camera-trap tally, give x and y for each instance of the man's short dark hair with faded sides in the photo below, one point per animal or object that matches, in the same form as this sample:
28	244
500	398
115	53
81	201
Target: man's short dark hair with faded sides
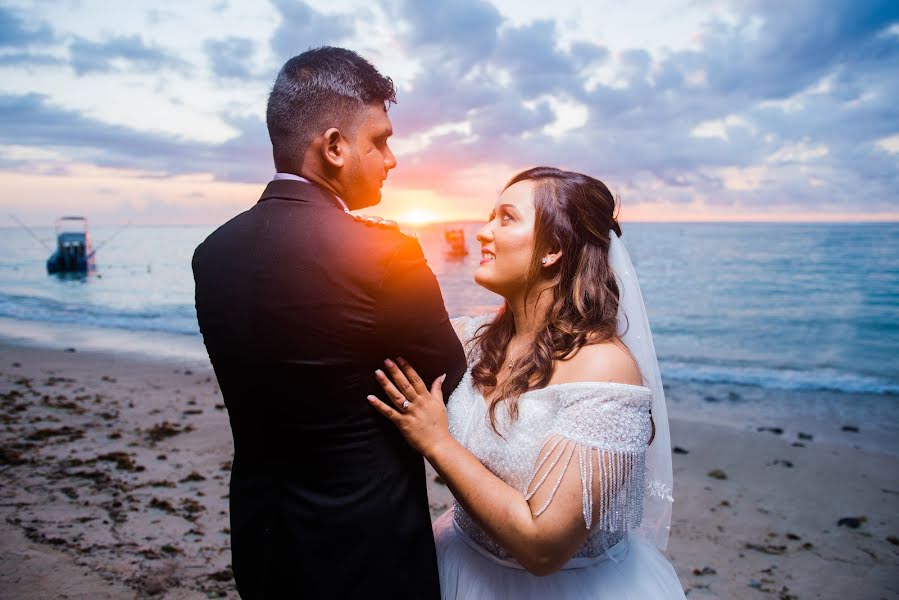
320	88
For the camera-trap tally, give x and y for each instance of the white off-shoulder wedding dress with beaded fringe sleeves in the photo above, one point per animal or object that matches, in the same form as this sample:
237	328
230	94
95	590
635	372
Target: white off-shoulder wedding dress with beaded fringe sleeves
605	421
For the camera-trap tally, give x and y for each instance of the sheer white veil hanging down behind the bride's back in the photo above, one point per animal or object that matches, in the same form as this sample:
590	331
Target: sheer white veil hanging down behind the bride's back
633	329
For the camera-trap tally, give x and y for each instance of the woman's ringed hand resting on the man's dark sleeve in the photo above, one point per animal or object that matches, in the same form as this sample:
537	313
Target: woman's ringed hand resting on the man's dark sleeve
419	414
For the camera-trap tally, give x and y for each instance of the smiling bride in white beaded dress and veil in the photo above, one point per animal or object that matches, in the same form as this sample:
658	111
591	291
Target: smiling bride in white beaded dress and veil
555	445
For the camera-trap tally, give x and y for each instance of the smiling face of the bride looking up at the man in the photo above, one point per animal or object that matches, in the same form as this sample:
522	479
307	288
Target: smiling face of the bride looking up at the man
507	242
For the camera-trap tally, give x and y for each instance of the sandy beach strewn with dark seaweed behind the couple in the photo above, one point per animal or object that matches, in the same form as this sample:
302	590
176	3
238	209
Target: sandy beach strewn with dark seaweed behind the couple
114	480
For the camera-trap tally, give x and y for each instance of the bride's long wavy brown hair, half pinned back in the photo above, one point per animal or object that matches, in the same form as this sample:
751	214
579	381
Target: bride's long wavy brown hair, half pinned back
574	213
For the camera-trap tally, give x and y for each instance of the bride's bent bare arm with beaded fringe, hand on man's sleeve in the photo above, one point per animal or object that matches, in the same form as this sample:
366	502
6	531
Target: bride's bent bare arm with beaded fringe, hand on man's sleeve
541	531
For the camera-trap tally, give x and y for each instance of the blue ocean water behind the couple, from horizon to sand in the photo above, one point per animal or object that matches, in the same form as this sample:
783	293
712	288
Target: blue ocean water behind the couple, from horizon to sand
754	323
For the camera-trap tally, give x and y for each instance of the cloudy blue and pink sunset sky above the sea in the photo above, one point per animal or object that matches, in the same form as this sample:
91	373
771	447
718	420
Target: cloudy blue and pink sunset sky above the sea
153	112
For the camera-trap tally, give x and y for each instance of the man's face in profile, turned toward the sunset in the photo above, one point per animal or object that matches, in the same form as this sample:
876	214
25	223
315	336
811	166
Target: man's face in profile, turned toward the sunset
368	159
